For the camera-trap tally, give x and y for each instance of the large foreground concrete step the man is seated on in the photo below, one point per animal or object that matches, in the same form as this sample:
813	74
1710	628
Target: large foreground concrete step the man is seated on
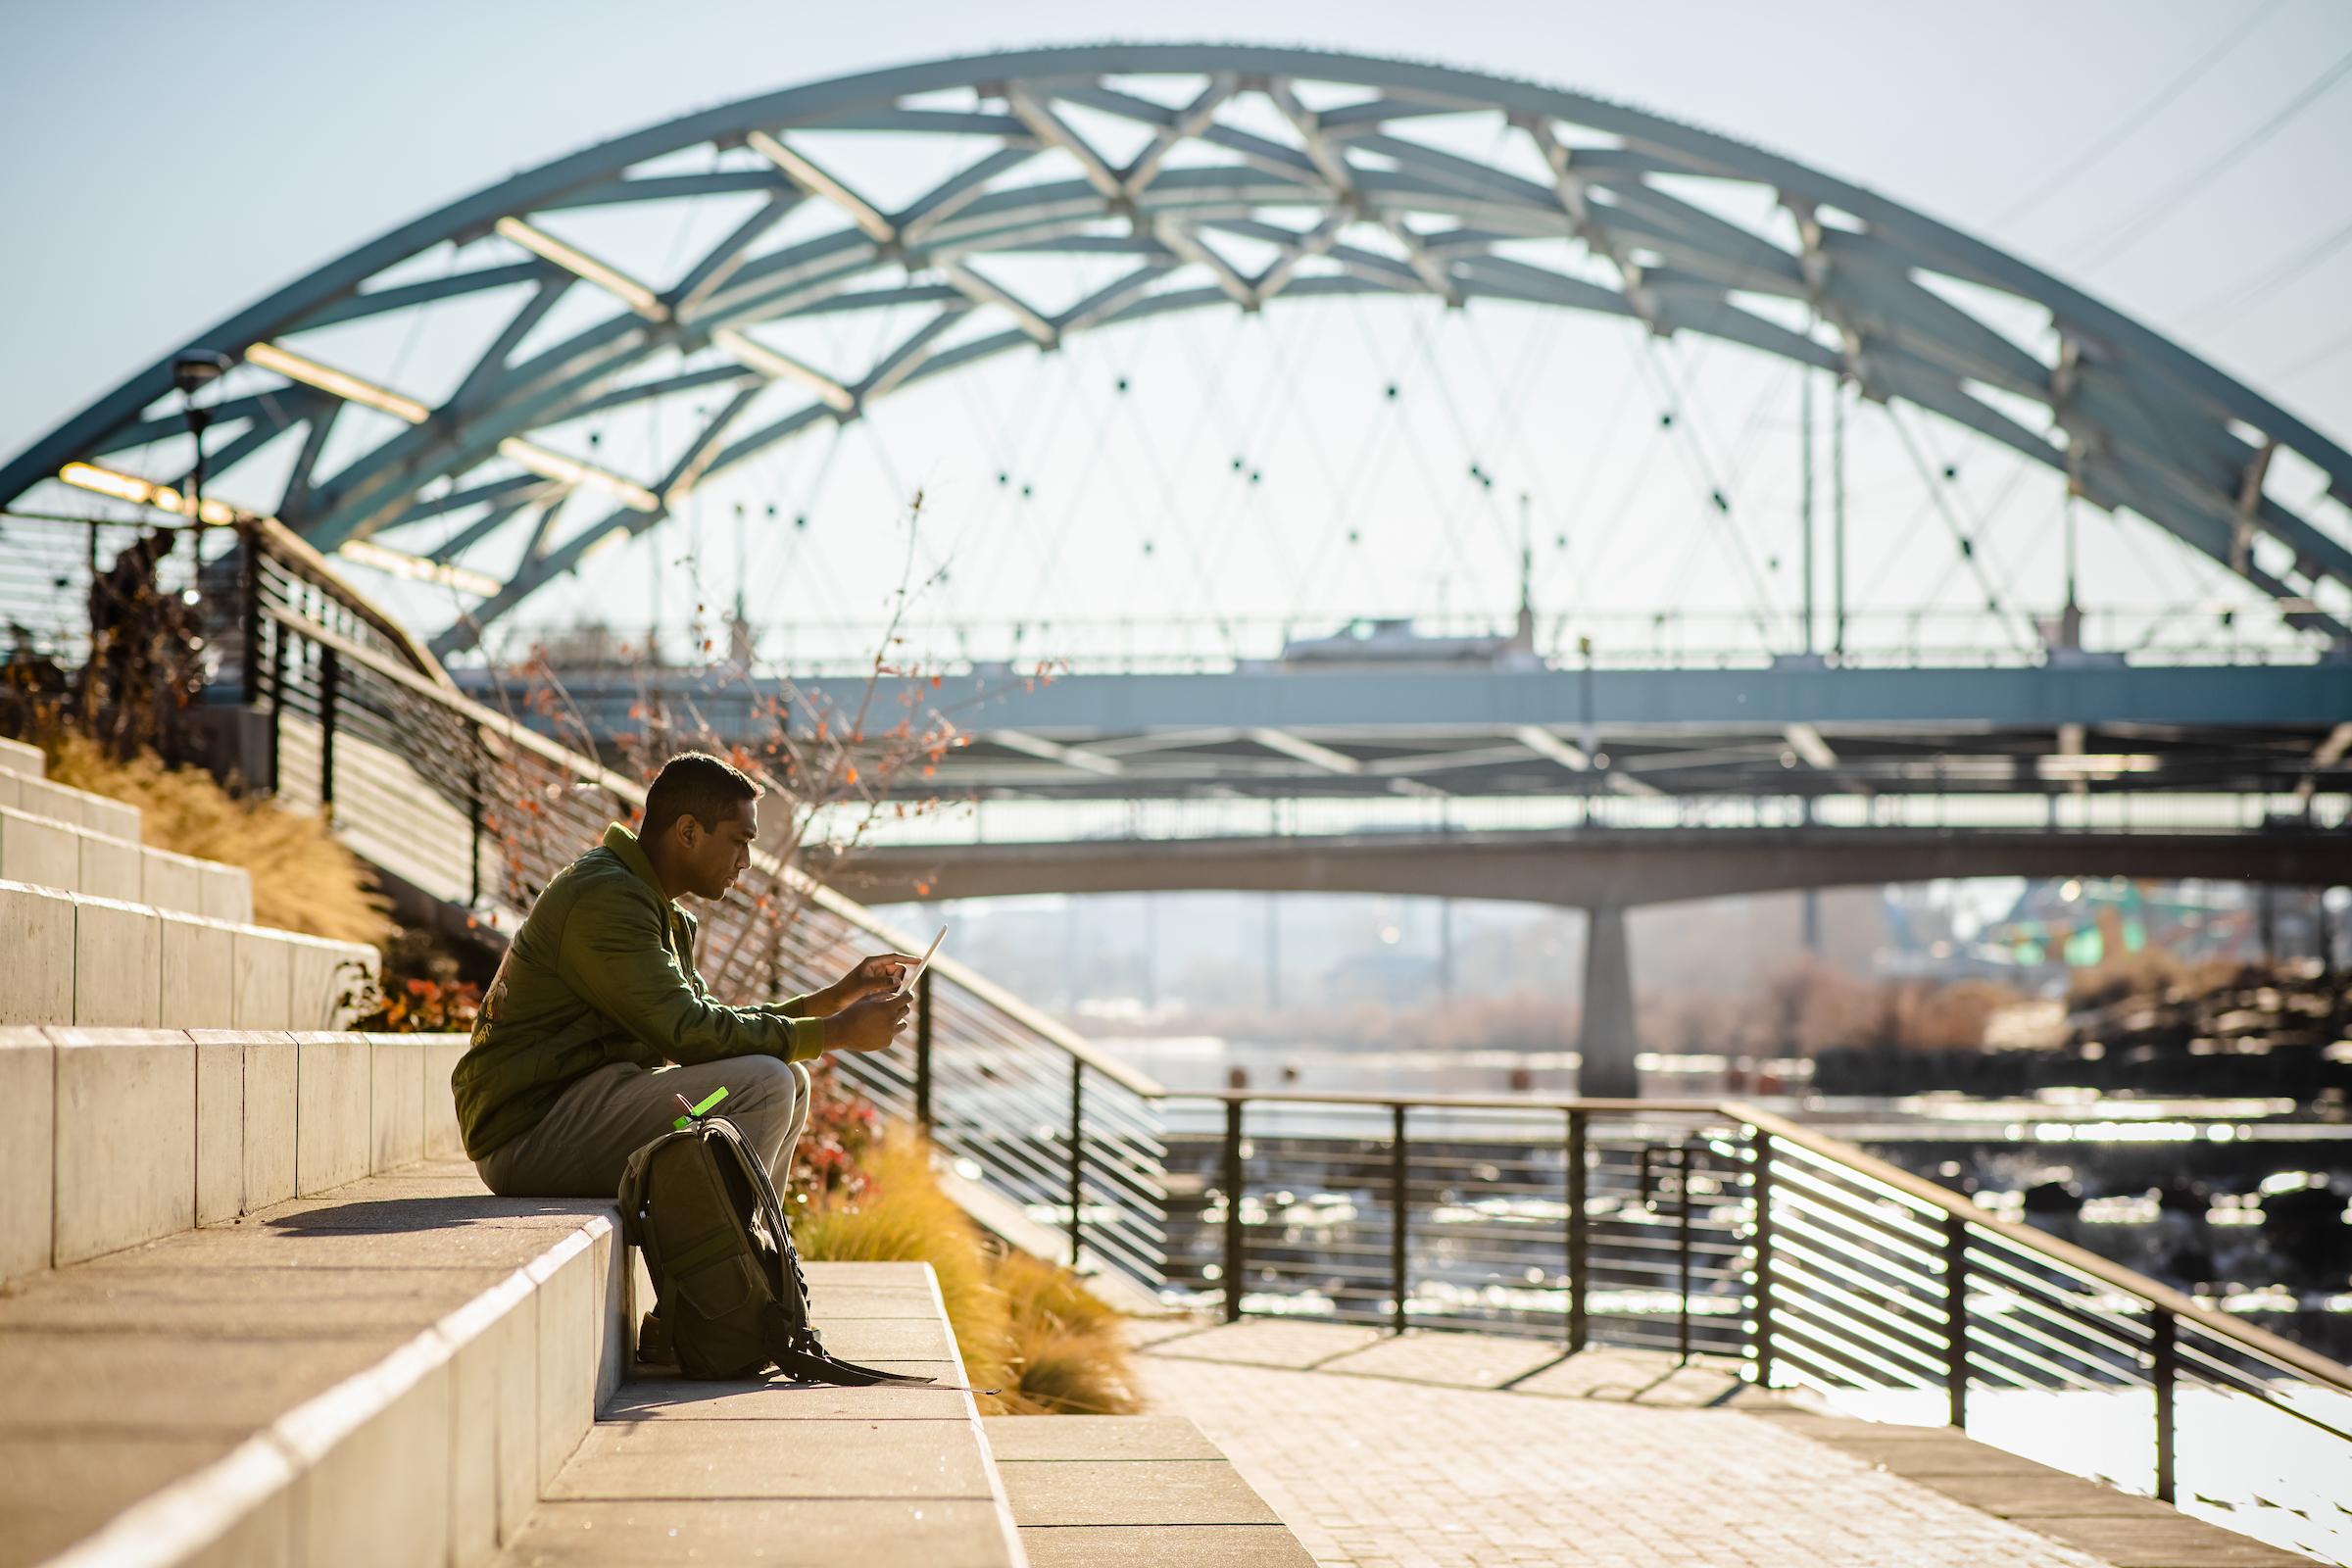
385	1374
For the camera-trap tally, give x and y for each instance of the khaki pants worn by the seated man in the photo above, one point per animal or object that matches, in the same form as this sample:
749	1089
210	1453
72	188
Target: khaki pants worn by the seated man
584	1141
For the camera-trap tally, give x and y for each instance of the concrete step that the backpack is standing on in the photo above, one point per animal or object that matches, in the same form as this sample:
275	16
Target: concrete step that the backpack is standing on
787	1475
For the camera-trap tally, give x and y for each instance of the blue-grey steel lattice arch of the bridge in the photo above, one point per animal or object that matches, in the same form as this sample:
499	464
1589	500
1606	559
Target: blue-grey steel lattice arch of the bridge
1328	170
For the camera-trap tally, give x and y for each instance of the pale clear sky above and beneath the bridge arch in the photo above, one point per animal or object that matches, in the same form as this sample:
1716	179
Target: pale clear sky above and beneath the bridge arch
171	163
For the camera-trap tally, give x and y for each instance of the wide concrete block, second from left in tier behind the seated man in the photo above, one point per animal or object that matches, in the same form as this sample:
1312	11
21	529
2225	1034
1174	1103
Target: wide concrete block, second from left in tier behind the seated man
126	1139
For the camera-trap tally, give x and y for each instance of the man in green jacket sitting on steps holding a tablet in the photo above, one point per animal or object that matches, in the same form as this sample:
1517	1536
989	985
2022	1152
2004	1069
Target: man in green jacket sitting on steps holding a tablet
568	1076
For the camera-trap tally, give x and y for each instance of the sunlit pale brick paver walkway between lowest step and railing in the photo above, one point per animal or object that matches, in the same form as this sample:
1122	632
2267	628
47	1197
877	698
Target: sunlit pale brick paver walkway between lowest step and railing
1377	1473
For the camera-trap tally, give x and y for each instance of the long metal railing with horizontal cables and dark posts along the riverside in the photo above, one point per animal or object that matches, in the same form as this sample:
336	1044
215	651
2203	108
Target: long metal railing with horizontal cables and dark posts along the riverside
1690	1228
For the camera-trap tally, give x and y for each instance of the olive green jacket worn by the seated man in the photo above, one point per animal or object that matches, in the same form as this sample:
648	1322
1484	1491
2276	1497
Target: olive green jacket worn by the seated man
603	972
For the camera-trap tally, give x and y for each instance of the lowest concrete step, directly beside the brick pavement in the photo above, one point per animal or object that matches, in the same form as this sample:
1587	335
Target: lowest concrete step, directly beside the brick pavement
1147	1492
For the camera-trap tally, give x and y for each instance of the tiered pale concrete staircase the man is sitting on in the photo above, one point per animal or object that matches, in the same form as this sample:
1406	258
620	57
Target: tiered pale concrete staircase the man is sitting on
258	1308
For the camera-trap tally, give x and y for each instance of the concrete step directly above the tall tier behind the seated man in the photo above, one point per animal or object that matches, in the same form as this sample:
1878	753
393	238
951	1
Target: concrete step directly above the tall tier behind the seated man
105	963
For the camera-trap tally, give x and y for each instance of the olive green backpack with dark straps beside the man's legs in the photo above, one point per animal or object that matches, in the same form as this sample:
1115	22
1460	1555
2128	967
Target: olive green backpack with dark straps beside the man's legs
721	1254
